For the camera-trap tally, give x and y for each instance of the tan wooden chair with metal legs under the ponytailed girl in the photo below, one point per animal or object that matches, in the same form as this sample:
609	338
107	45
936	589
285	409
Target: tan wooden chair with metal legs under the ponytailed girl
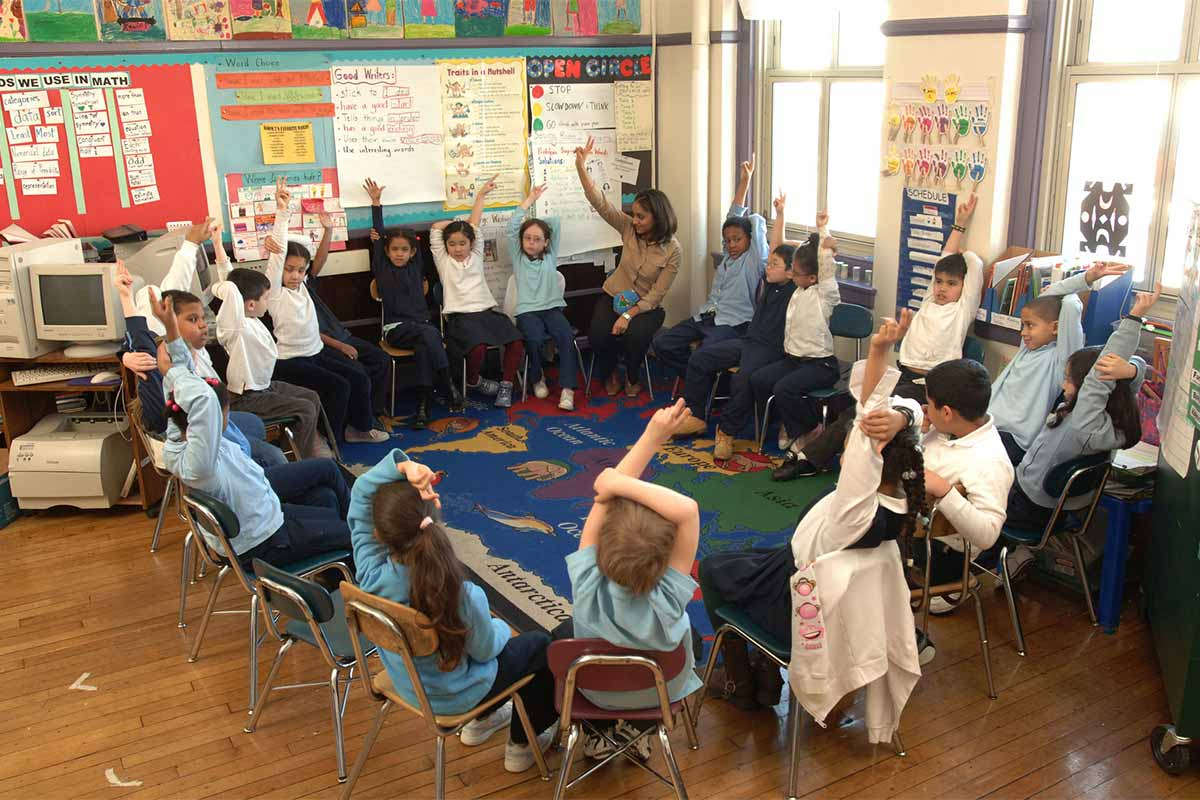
401	630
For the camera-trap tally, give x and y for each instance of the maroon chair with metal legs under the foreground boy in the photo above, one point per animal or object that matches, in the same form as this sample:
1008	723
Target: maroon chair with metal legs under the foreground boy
596	665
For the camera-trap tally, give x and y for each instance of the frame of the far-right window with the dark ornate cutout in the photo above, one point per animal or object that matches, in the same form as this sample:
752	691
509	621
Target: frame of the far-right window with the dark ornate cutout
1071	69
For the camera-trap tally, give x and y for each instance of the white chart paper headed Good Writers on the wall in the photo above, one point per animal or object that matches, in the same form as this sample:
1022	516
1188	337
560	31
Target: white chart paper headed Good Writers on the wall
388	128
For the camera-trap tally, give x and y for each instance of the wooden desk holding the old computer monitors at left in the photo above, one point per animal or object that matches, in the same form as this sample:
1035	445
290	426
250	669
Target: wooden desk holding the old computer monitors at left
25	406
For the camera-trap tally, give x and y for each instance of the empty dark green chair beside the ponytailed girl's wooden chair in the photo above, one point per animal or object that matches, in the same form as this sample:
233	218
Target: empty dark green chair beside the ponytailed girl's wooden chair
316	617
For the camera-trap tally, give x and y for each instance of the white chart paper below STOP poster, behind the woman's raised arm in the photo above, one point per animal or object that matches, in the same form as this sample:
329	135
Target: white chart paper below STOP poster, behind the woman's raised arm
554	164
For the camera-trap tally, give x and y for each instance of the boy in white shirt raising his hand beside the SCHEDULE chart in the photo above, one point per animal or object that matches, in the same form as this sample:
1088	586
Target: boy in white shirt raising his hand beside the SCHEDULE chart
937	335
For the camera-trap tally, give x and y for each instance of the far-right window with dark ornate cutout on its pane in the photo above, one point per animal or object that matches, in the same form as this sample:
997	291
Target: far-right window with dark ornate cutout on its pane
1129	112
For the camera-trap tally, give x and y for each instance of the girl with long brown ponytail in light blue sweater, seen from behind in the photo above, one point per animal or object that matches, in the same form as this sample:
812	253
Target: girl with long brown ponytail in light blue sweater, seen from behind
403	554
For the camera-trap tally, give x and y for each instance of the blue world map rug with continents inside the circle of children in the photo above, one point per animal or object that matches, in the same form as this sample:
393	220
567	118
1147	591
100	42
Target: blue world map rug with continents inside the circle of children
517	488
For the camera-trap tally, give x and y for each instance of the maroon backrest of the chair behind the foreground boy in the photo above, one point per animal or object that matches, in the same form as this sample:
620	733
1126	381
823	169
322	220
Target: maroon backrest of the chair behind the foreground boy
611	675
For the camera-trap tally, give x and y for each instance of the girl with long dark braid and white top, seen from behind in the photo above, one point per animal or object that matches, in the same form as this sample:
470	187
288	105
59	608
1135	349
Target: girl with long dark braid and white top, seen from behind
880	497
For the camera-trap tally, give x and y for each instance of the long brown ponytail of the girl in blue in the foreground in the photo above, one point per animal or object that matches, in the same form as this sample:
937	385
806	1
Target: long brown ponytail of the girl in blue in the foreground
435	574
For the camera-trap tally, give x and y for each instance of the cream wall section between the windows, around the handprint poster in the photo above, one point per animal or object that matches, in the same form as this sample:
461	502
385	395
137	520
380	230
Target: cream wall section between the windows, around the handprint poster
973	57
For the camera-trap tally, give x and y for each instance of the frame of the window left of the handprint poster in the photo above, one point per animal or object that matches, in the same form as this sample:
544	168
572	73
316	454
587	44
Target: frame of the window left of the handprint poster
771	74
